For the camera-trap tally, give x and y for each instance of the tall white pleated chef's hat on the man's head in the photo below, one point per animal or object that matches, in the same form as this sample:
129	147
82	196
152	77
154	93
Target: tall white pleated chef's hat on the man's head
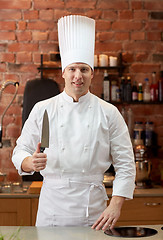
76	35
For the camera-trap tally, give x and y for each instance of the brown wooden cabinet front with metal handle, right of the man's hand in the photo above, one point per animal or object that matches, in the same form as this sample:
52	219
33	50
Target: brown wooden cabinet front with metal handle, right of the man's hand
142	210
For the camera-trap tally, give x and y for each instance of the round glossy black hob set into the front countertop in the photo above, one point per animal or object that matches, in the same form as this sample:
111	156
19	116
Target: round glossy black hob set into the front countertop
131	232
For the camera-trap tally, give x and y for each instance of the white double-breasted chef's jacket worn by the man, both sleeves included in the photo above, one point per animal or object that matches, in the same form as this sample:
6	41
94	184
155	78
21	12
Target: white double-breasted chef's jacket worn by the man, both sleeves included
86	137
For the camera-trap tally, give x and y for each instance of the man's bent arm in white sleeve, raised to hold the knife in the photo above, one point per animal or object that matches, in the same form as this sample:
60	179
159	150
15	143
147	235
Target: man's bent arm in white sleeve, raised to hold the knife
26	150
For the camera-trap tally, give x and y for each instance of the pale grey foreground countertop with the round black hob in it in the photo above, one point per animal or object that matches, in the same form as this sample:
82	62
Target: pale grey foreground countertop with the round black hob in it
68	233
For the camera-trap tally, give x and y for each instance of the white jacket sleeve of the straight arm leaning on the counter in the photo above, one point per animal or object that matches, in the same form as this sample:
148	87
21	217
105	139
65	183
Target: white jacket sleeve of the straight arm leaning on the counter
123	157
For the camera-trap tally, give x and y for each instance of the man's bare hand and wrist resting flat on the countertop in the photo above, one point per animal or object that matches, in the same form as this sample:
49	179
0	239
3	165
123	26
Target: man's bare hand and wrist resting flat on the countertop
110	215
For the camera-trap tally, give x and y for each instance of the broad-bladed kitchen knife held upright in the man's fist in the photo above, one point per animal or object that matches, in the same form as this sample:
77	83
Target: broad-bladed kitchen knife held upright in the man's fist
45	132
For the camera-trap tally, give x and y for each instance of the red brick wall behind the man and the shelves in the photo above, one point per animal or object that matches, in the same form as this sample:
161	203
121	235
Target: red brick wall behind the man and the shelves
29	27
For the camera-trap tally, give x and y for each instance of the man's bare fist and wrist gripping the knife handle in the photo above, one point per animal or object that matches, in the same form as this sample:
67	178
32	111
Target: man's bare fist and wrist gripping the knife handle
36	162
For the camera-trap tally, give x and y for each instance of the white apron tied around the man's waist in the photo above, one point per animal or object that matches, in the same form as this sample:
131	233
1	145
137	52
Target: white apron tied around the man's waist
71	200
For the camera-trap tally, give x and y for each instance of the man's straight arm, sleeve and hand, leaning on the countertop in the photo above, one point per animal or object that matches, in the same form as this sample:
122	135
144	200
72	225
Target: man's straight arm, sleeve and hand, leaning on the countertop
123	161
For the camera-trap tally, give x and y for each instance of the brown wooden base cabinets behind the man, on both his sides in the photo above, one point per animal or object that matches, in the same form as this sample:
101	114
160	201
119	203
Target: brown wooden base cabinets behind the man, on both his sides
146	208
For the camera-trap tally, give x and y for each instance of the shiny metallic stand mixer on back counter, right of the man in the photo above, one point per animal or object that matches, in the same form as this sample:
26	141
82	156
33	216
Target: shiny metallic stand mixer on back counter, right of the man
143	167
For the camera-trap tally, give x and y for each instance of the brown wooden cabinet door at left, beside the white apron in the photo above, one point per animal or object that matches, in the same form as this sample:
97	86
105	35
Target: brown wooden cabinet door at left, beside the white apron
15	212
